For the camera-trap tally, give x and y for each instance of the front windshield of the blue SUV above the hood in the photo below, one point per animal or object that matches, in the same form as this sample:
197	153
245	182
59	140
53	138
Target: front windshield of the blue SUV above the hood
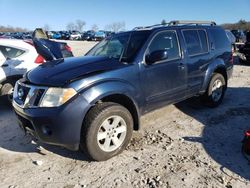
120	46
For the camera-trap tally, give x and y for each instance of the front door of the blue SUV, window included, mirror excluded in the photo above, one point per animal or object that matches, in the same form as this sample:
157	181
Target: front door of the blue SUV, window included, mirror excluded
164	81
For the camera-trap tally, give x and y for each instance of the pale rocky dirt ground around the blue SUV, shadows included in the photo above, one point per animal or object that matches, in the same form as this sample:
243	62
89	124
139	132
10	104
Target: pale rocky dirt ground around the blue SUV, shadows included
182	145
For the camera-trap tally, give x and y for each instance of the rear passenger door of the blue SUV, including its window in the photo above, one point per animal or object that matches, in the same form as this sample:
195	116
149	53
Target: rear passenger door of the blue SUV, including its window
198	57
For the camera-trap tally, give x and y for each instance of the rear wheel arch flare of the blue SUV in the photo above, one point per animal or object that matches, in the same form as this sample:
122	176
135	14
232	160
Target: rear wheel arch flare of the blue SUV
217	63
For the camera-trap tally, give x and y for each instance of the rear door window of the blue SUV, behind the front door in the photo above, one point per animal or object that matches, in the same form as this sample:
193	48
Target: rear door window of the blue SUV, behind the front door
196	41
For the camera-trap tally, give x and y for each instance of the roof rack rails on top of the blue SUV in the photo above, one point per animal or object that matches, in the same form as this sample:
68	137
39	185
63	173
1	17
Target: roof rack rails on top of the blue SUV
176	23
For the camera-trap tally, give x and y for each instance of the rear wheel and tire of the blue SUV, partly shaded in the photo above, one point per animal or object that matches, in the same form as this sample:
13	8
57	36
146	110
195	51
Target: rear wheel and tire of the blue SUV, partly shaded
215	91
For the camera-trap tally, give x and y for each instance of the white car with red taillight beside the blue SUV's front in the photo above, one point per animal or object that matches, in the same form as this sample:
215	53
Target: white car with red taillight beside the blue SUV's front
16	58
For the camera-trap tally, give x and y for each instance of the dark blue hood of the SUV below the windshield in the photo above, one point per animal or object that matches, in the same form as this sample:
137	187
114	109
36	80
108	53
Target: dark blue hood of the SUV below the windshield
57	73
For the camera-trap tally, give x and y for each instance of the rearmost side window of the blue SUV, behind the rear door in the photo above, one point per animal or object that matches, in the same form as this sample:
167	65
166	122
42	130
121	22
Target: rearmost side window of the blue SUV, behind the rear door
220	38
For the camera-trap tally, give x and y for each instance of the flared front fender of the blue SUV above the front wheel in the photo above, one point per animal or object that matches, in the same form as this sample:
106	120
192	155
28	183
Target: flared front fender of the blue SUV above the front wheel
93	92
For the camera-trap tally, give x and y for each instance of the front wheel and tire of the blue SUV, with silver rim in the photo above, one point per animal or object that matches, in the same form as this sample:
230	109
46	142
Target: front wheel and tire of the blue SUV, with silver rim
98	123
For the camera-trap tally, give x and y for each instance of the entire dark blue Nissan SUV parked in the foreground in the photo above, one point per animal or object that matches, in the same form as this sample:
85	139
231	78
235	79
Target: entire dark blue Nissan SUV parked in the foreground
93	103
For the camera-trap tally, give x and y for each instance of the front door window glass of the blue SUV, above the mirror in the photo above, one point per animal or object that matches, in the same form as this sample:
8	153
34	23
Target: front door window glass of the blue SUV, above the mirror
166	41
